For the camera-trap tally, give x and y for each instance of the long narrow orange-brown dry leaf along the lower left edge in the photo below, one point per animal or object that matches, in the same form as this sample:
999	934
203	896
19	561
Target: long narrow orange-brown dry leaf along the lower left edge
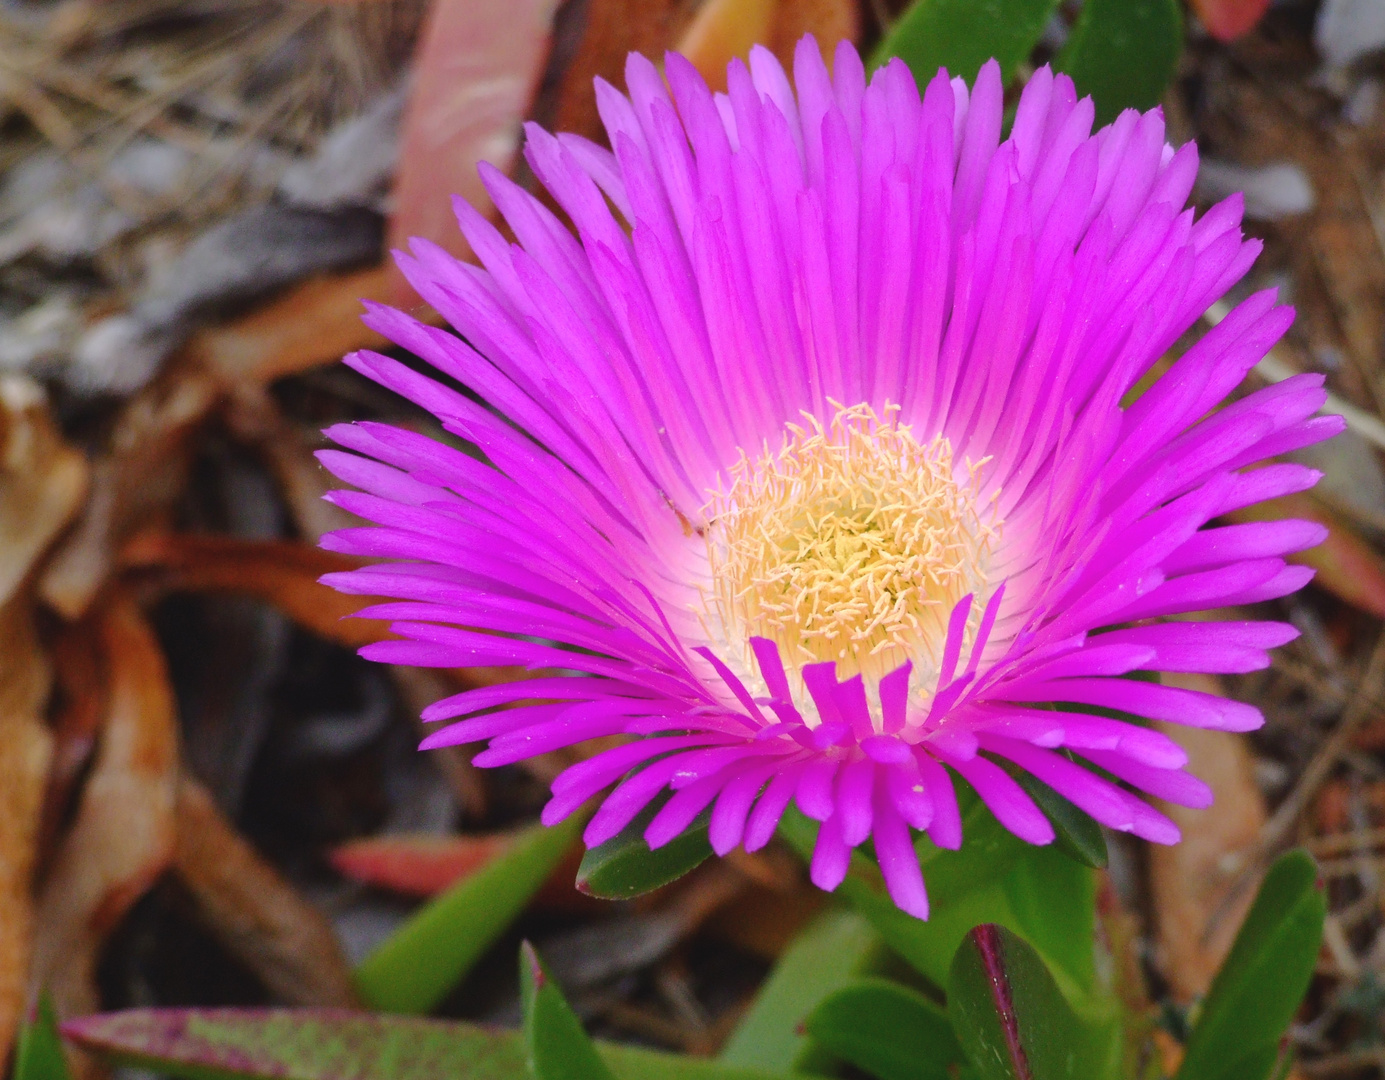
26	750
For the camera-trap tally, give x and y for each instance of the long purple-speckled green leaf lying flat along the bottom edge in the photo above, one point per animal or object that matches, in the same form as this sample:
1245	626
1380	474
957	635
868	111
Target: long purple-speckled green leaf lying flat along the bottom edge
333	1045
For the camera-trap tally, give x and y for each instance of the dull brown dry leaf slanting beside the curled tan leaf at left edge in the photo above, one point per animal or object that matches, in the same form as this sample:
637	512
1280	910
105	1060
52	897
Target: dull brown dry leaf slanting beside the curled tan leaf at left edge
134	485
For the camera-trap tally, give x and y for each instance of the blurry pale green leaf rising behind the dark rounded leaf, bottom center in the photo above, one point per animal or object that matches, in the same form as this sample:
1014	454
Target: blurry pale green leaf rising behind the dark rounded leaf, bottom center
832	953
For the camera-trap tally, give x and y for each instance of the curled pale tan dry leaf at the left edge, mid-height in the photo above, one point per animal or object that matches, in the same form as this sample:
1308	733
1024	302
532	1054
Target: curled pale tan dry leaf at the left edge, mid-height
42	481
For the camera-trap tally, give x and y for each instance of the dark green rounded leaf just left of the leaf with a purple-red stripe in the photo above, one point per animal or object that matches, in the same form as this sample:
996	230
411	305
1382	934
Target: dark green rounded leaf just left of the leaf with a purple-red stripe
888	1031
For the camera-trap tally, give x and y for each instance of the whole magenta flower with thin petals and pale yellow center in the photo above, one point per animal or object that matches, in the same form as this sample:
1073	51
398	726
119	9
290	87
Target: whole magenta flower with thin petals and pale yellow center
811	463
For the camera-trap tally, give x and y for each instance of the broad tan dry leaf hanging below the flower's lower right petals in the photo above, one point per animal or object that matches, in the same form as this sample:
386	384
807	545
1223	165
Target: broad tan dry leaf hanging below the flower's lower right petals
1200	888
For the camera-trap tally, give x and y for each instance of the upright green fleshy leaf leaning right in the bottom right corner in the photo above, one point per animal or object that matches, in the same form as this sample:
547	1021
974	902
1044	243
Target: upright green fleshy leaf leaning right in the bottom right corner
1260	988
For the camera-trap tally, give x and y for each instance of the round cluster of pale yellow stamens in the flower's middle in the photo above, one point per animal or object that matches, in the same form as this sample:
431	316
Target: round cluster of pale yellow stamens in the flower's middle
852	543
